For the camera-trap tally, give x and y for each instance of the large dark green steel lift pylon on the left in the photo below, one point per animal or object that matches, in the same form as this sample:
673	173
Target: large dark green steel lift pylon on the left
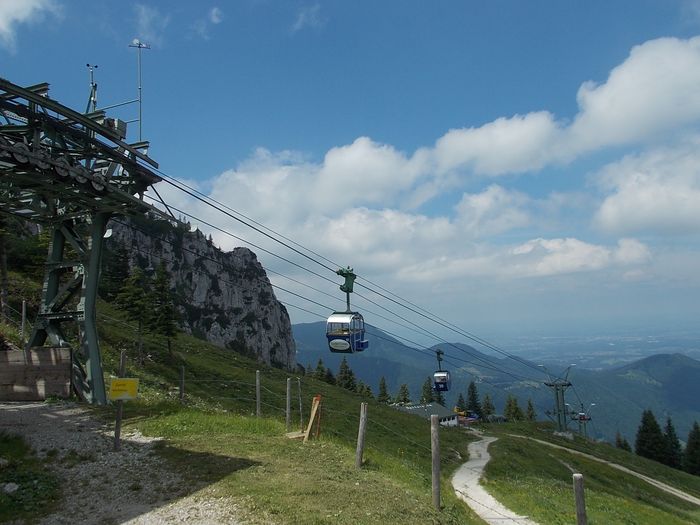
70	172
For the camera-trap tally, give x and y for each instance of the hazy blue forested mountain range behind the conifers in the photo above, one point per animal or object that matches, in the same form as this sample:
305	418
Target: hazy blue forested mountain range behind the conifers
668	384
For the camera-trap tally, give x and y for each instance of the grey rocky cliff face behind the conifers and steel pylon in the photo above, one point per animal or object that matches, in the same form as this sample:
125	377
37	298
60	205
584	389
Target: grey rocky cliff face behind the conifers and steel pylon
223	297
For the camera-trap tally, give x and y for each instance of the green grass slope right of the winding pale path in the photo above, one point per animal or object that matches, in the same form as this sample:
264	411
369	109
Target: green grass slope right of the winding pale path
536	480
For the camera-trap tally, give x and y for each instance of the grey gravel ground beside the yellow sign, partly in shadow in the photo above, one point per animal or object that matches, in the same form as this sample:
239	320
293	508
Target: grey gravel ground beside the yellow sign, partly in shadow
102	486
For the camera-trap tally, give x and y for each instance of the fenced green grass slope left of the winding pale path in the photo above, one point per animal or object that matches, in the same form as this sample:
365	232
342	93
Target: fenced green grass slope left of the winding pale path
273	477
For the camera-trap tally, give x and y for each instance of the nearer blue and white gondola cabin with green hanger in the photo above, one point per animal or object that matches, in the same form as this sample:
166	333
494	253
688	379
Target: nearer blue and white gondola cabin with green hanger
345	331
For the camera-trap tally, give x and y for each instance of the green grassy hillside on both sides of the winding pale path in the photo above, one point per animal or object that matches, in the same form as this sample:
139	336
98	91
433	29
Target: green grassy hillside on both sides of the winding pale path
218	443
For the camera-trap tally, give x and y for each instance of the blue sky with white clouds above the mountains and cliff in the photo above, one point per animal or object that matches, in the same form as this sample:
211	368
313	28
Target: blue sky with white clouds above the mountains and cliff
516	167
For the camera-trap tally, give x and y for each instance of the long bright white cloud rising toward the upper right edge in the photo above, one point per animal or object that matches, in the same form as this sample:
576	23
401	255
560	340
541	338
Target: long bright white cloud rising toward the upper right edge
653	91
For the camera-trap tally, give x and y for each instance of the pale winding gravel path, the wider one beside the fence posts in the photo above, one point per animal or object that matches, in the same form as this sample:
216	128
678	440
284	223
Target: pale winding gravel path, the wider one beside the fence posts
467	487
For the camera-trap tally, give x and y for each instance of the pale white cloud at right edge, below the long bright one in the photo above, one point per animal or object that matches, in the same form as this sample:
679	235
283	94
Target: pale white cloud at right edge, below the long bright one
657	192
